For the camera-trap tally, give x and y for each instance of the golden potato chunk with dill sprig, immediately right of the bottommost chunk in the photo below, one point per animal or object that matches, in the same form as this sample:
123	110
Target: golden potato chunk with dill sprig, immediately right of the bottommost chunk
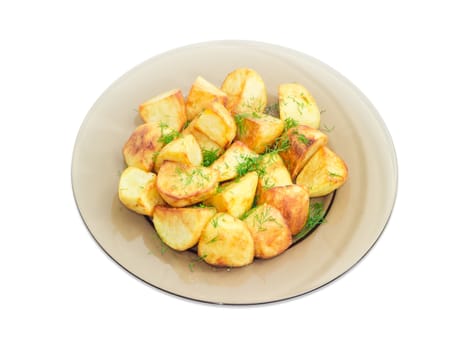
270	233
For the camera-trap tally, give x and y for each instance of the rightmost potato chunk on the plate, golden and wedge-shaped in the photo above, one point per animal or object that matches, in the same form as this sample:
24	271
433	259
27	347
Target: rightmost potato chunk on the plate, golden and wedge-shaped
323	173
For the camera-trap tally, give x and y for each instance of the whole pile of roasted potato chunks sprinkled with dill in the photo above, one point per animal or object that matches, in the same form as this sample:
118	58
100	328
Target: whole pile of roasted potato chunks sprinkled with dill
220	174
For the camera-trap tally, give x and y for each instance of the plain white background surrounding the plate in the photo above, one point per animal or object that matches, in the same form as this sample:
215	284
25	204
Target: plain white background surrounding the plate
60	291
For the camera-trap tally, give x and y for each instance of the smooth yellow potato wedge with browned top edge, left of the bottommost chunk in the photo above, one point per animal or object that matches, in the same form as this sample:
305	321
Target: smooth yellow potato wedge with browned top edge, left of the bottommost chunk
181	228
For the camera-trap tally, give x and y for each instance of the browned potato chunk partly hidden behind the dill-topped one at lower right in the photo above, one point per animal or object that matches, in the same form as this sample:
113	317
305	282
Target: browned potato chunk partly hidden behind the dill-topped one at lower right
292	201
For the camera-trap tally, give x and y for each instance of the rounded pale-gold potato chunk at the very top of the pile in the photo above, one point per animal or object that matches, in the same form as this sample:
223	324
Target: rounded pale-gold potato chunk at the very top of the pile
246	91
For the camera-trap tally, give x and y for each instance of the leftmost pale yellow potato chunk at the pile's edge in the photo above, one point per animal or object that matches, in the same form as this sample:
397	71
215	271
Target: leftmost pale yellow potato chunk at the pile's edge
138	191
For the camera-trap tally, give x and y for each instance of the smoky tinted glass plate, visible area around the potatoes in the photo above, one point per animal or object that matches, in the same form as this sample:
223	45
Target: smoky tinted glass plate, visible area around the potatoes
356	218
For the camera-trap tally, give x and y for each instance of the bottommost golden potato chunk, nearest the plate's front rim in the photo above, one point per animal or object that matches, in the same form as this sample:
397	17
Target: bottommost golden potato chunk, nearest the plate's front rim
226	241
